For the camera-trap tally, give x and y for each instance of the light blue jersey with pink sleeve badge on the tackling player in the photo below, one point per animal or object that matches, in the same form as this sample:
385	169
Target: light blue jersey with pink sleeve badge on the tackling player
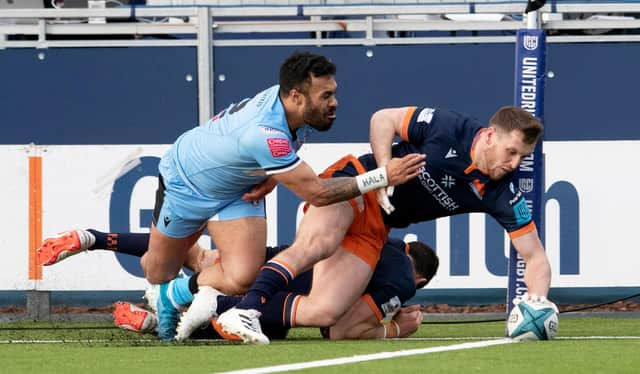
236	149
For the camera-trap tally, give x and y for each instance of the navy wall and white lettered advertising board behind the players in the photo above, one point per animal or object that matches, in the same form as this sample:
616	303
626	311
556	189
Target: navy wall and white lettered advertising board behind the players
94	122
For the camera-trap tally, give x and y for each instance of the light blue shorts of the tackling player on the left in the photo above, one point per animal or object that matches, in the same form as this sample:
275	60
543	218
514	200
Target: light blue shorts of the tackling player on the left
179	213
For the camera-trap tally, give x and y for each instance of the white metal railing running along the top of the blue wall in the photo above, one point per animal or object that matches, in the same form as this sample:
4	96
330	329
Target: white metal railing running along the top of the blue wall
310	25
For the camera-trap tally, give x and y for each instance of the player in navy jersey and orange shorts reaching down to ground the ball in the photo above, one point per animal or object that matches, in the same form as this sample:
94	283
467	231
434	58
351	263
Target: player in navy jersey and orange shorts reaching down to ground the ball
470	168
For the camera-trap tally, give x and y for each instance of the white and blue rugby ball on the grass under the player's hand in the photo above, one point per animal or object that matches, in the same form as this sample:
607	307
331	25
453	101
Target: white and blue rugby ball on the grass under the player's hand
533	318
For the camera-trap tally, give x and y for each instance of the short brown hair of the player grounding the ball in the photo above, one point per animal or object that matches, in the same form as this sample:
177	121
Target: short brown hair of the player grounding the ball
510	118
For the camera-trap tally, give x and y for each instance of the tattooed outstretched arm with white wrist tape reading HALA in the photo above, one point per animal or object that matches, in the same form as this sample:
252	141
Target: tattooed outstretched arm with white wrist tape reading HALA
304	182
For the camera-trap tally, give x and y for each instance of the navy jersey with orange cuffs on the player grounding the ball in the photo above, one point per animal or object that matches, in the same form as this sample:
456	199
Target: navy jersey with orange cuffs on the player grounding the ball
450	183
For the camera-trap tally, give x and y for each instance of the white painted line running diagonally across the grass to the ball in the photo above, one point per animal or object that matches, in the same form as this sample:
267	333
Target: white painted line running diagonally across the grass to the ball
369	357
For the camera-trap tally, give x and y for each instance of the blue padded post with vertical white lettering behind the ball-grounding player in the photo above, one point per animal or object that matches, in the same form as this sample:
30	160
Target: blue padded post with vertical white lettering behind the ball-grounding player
529	95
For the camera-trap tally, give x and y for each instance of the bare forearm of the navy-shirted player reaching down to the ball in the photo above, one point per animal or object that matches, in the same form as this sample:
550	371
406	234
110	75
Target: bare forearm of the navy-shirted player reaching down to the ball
537	274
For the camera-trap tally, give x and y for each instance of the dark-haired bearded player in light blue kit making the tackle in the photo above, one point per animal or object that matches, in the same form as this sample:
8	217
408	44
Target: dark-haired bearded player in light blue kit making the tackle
224	168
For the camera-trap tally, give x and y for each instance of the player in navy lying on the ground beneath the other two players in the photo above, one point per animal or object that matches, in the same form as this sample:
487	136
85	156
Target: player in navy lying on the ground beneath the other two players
402	268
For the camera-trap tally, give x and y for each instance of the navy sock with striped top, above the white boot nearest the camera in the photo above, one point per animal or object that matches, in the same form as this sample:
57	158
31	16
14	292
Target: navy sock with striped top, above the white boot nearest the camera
273	277
